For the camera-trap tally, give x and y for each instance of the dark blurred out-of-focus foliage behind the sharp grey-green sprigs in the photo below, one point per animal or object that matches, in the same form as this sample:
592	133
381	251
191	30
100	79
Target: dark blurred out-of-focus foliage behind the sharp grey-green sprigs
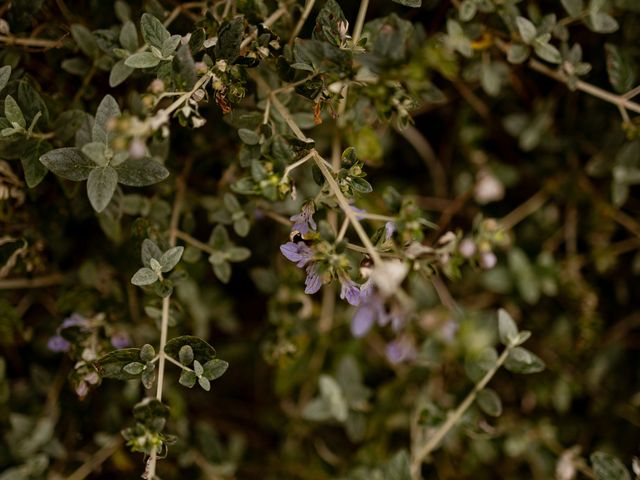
490	140
